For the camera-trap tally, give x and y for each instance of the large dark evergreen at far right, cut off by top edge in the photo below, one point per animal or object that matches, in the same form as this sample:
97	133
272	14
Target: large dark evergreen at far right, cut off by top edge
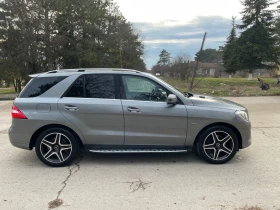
256	46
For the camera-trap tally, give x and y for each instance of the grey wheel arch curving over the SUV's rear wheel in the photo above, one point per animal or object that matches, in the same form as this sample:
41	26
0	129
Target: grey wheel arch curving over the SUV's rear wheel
40	130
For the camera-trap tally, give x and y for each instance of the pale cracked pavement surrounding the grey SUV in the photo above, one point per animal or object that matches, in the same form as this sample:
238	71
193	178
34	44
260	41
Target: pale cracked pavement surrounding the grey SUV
154	181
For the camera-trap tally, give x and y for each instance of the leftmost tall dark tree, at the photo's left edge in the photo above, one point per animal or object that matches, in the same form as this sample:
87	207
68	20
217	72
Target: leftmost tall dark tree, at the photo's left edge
20	39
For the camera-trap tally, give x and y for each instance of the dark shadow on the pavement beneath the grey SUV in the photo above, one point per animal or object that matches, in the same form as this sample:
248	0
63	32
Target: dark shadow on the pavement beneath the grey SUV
86	158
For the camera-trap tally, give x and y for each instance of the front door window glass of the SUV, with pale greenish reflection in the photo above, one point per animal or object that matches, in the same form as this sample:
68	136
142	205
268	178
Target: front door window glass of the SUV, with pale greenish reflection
142	89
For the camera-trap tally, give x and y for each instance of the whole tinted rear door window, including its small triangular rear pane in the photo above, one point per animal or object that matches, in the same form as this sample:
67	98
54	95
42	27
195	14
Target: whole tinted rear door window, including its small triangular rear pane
93	86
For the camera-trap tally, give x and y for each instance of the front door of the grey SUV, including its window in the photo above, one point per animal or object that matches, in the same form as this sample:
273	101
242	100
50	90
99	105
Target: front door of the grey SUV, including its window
149	120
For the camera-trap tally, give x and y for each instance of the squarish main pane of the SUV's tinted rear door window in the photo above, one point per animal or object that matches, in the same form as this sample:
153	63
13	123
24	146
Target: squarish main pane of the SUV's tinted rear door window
100	86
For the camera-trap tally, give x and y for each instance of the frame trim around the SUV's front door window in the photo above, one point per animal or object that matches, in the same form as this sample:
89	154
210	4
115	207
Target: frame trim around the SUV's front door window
123	96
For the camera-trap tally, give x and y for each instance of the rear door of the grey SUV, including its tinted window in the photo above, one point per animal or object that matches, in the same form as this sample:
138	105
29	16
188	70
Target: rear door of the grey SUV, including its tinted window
93	106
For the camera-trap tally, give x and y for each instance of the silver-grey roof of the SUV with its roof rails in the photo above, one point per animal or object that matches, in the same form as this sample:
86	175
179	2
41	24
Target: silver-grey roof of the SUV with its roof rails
68	72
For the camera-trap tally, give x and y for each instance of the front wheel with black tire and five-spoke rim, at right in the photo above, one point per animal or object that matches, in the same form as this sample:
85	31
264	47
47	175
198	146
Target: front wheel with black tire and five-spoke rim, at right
217	144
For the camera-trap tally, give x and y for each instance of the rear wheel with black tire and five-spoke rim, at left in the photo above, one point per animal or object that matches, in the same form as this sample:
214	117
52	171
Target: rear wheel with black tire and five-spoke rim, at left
56	147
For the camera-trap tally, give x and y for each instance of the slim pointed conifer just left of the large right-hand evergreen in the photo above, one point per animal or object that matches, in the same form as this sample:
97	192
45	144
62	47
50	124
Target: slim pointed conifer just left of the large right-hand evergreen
230	60
